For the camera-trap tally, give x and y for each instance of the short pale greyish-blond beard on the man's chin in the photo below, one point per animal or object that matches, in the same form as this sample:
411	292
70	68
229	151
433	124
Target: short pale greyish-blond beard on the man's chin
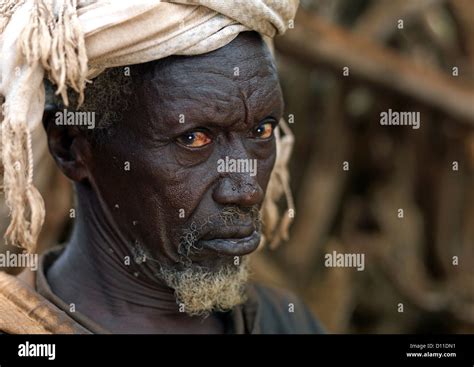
201	291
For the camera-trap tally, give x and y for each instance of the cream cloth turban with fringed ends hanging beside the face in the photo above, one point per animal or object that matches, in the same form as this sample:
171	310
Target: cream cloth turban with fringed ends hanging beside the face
72	41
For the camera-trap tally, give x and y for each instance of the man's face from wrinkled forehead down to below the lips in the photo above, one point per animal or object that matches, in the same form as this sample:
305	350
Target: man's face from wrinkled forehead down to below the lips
186	171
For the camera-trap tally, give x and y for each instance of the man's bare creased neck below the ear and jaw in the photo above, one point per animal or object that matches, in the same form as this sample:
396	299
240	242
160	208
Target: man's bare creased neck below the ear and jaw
97	273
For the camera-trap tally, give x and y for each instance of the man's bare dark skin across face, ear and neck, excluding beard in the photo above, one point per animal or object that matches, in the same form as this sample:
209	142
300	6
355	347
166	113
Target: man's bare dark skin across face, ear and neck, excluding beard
173	170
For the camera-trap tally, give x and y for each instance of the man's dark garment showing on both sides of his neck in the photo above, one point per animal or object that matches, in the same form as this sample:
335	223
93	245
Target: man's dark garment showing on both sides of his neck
266	311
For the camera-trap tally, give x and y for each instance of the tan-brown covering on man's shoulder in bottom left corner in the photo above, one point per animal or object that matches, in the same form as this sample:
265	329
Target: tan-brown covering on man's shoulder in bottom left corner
25	311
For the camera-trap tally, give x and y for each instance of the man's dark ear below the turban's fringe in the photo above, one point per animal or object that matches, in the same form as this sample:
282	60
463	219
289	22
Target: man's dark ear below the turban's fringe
67	144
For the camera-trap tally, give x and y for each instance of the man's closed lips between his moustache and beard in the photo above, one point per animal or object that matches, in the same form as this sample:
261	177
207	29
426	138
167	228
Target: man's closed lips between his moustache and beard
232	246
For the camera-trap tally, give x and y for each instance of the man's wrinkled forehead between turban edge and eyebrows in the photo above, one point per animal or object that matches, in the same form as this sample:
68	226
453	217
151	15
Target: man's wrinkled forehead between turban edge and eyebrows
239	76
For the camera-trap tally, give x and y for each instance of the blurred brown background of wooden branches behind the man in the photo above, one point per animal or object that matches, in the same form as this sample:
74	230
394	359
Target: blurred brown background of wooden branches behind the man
343	63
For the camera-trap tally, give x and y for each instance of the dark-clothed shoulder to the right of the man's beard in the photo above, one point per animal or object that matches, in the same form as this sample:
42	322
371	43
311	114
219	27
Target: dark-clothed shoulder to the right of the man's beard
282	312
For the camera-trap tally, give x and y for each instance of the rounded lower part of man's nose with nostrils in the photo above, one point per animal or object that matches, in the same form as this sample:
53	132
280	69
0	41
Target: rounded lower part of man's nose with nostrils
240	189
